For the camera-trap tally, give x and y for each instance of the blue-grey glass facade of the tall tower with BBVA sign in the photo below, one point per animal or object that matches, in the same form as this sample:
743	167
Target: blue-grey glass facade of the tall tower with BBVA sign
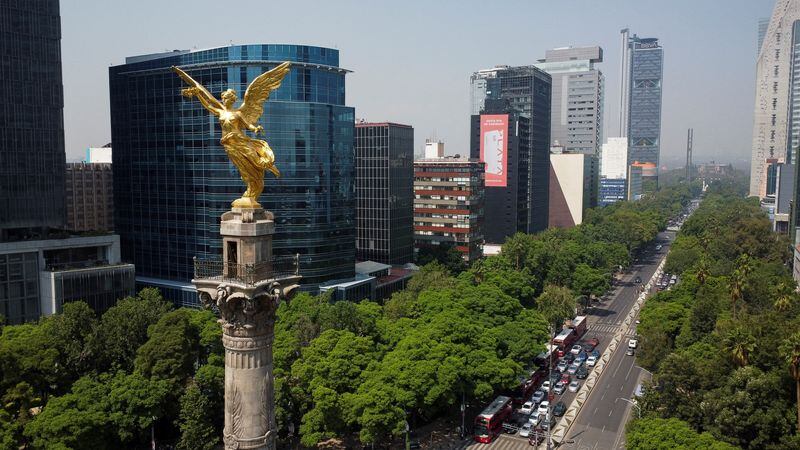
644	119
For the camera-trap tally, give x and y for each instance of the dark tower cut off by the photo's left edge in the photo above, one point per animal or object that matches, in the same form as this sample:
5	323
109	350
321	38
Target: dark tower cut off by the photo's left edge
32	158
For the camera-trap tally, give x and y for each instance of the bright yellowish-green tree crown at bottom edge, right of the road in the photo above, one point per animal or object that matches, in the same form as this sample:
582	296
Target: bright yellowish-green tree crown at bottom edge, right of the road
667	434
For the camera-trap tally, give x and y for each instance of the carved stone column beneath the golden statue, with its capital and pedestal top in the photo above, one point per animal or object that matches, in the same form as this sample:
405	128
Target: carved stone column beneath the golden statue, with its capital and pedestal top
246	287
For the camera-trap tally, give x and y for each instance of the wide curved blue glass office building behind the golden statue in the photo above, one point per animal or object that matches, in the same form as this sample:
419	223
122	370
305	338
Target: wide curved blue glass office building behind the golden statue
172	179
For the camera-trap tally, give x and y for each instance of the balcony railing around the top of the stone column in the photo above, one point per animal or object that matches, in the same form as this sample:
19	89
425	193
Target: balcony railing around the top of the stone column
246	274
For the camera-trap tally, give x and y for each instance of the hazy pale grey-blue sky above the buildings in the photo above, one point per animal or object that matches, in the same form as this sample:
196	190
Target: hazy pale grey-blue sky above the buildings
411	60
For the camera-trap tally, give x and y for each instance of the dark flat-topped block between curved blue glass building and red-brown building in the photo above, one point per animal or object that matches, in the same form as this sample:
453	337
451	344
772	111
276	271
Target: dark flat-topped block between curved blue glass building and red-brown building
384	197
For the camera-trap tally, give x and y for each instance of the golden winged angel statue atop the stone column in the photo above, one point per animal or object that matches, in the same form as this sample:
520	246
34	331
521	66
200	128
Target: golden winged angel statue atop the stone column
251	156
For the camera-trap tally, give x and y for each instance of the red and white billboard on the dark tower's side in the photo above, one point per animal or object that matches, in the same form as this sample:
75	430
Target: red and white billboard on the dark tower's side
494	148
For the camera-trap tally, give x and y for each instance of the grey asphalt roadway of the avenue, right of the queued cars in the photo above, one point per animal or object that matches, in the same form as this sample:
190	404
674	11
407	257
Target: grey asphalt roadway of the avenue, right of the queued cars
600	425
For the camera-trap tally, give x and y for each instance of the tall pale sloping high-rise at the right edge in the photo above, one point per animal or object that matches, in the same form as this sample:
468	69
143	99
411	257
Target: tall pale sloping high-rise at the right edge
776	119
